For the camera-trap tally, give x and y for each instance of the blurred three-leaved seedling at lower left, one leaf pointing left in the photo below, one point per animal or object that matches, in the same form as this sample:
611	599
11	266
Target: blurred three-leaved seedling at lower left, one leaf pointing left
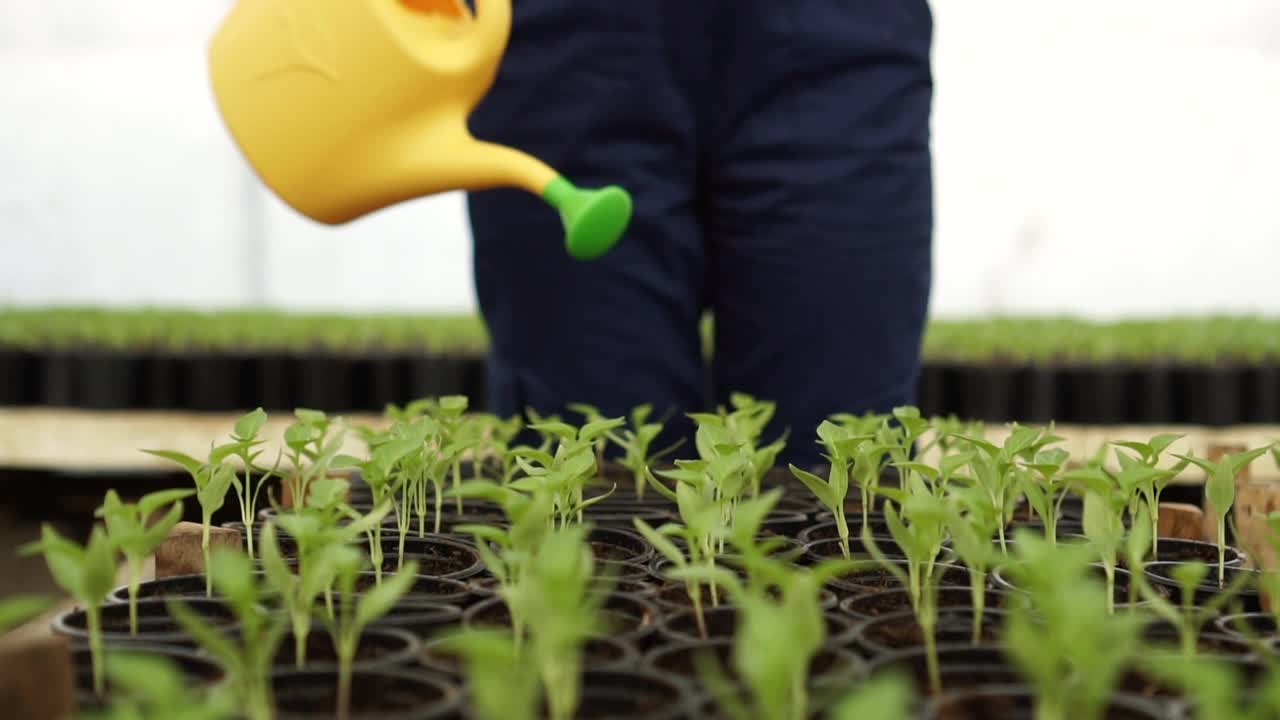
248	654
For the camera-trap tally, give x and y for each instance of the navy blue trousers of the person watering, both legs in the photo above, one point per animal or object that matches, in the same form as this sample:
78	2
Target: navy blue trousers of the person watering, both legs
779	157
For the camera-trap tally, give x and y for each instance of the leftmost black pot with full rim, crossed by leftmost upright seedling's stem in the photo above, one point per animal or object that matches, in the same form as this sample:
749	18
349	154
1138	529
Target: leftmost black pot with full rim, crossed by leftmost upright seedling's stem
156	625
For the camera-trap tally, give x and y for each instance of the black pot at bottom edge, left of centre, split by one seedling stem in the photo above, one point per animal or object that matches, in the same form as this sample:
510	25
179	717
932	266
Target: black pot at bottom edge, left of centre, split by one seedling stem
376	695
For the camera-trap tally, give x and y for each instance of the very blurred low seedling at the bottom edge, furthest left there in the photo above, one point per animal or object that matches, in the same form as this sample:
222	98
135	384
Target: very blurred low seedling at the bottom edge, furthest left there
153	687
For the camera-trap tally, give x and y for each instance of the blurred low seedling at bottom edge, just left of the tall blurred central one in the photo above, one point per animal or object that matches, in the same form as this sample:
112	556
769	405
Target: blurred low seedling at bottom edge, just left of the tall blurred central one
504	686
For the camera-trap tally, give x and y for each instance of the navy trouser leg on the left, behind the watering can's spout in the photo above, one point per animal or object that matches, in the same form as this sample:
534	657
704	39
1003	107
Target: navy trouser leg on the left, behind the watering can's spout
587	88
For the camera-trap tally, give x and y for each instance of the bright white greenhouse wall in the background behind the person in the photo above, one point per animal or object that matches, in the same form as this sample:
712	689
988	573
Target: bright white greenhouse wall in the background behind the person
1098	158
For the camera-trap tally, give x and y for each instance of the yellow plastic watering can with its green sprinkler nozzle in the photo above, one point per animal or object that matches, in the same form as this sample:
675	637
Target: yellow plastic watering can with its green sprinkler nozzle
348	107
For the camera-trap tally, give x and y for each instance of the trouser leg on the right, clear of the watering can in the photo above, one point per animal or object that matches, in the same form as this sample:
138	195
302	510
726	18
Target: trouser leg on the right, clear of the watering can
821	241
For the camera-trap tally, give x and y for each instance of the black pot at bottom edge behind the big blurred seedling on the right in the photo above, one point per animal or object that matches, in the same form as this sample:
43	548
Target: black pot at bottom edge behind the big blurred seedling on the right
1018	703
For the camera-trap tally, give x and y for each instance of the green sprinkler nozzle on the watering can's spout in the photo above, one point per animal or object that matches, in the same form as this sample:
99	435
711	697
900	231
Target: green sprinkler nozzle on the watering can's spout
595	220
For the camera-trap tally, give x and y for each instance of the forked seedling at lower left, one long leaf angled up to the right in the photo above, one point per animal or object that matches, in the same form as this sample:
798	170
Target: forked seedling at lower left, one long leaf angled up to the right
355	613
